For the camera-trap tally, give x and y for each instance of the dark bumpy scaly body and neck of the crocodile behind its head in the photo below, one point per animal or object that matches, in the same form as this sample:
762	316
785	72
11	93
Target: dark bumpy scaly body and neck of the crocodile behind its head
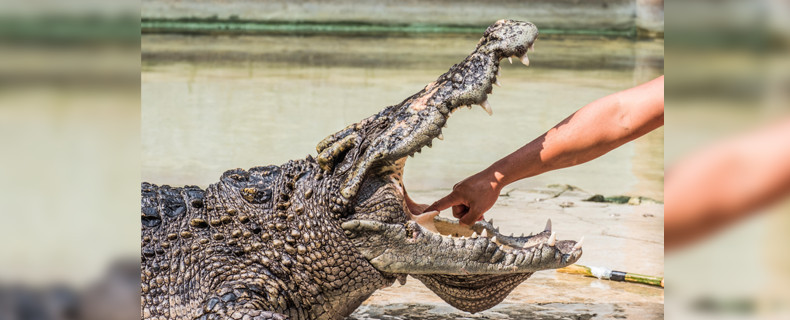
260	242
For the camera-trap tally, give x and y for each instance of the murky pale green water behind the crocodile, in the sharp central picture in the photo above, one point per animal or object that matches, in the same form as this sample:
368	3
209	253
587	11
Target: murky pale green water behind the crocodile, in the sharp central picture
214	103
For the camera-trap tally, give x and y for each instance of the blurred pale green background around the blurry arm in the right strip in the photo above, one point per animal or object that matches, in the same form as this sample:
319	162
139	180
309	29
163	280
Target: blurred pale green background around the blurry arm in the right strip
728	77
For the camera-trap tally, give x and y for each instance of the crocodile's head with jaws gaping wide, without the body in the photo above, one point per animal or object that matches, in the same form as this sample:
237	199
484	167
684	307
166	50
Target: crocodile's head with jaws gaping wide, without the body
472	268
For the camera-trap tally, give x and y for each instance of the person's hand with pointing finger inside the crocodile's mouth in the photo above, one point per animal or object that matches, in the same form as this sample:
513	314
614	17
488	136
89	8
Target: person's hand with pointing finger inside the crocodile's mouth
470	198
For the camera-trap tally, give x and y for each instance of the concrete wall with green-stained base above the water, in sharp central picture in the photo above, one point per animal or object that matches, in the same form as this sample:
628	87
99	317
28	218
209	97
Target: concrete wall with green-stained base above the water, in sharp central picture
547	14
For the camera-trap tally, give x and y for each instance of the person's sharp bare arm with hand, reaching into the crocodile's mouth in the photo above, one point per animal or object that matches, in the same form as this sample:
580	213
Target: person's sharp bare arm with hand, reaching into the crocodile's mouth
590	132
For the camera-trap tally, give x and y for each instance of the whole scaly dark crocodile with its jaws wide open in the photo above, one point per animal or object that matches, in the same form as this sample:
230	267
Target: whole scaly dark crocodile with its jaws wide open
313	238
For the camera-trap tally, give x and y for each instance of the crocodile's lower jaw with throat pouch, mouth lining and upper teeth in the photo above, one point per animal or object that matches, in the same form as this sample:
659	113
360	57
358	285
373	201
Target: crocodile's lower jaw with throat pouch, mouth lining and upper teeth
472	268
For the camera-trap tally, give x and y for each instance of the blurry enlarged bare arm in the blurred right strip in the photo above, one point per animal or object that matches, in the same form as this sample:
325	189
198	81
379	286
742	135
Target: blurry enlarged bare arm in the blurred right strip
726	182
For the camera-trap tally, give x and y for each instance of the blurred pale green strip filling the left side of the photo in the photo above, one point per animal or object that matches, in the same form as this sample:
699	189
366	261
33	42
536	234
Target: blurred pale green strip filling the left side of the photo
69	130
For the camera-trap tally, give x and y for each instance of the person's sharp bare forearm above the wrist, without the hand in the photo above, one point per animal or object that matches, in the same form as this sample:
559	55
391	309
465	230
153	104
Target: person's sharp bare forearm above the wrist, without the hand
592	131
